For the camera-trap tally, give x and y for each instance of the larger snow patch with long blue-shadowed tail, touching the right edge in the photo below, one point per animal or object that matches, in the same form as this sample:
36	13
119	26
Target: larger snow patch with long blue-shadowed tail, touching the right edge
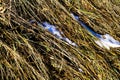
105	41
